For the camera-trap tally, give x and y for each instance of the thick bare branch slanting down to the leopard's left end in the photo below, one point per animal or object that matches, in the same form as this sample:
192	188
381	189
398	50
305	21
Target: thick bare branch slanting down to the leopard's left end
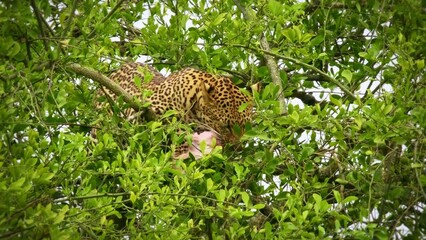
105	81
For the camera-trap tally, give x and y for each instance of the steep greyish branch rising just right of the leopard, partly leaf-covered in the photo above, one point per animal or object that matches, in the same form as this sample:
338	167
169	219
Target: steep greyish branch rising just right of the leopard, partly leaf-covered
270	61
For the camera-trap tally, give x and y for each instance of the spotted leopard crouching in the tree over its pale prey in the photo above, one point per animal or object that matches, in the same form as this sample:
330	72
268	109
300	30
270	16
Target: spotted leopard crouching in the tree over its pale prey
210	102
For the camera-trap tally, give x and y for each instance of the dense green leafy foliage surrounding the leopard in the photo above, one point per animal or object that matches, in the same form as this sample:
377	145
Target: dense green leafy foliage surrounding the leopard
345	160
